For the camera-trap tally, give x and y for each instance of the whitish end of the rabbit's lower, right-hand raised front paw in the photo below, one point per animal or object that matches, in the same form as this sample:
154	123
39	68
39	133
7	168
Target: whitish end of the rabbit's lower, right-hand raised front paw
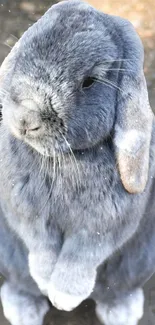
67	292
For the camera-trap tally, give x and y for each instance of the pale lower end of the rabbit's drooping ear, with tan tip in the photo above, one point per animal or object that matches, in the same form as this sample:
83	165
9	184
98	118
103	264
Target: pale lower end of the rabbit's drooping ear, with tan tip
132	151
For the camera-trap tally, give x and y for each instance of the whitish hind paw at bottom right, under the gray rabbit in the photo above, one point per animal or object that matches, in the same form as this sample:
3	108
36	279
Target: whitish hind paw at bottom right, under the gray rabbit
126	312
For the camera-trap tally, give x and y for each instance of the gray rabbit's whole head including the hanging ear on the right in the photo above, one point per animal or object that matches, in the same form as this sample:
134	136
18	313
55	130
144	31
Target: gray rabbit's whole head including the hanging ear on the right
74	79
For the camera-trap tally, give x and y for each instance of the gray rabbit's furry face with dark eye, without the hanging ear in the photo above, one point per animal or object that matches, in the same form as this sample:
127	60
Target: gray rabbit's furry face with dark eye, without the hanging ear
62	93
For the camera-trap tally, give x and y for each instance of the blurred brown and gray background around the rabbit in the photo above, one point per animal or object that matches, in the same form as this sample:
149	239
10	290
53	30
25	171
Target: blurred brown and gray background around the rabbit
15	18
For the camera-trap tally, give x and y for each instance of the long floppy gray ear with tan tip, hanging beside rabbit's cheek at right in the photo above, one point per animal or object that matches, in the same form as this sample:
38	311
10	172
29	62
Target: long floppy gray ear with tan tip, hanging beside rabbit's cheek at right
133	113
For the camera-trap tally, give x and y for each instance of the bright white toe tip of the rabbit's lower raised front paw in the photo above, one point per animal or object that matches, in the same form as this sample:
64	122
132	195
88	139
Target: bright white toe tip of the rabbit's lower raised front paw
63	301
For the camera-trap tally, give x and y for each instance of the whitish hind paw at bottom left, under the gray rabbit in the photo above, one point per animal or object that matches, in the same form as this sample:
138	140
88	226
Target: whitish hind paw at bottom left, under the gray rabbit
22	309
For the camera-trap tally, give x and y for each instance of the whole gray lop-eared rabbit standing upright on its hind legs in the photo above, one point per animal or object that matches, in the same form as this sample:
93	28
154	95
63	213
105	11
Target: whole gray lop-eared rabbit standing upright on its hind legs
78	164
